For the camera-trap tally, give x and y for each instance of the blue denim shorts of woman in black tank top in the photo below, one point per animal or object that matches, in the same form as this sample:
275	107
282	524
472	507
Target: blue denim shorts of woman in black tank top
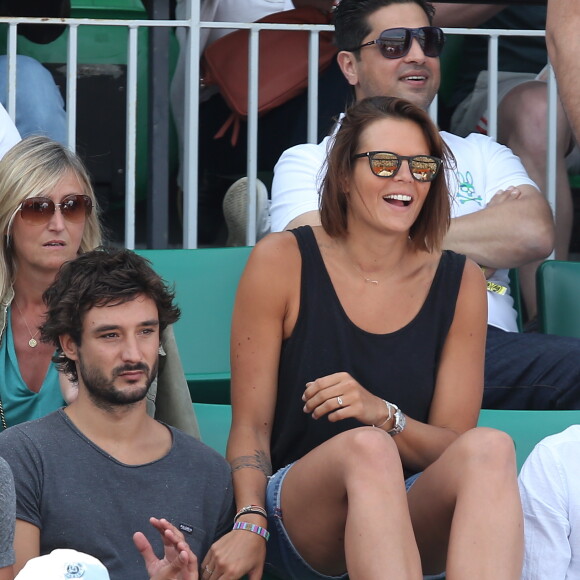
282	558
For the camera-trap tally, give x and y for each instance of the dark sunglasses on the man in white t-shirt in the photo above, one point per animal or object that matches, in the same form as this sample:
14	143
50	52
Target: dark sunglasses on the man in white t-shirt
396	42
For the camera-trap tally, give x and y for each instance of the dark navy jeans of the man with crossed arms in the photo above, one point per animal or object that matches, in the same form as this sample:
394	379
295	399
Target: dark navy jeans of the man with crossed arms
531	371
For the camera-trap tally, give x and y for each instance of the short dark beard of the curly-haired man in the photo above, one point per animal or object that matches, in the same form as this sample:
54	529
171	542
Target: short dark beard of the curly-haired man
103	392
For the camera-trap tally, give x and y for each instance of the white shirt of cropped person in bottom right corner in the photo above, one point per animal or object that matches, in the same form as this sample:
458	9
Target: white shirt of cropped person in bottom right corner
550	490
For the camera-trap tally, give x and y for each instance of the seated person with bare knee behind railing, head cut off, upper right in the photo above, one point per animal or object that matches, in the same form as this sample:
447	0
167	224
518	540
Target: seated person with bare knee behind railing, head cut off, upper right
522	121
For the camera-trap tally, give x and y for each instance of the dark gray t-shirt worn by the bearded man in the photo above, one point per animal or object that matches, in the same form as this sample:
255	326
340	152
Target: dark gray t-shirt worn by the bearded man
82	498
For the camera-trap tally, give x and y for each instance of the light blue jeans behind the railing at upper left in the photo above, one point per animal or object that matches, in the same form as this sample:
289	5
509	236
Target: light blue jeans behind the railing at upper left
39	104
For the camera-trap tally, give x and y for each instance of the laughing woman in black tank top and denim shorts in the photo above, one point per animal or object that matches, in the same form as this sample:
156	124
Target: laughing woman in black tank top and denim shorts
357	371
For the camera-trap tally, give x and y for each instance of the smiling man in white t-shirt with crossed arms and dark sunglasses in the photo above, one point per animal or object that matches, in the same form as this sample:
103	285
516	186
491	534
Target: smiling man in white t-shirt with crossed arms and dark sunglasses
500	219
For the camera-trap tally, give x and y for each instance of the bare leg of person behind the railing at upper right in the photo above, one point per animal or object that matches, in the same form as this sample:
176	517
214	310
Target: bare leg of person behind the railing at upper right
522	127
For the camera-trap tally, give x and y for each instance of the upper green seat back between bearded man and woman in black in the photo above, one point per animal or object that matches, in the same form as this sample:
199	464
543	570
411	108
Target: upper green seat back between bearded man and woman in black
205	284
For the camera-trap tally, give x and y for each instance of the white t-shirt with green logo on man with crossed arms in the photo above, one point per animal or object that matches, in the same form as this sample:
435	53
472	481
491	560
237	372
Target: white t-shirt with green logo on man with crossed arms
483	168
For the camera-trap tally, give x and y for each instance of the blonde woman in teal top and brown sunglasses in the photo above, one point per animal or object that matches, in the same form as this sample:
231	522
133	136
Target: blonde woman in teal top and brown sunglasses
49	215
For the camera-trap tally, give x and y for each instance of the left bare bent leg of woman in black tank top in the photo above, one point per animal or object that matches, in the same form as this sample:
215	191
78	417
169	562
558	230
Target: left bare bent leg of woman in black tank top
345	508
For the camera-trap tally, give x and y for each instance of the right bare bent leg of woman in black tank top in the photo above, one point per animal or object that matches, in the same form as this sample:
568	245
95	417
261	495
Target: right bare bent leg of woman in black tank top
467	505
